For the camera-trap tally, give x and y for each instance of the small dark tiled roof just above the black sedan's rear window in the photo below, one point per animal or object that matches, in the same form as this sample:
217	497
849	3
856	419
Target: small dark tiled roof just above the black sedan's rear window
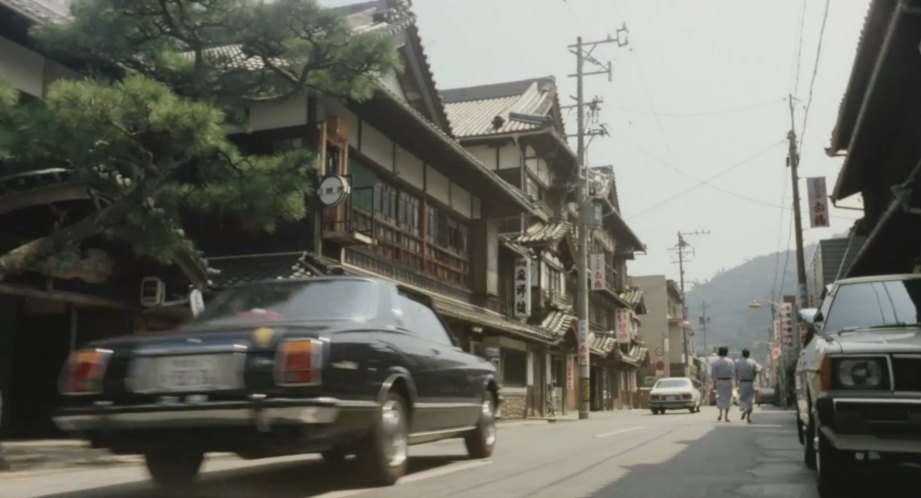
238	270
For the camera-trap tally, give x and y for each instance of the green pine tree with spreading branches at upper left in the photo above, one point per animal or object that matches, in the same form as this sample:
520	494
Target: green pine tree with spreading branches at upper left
148	127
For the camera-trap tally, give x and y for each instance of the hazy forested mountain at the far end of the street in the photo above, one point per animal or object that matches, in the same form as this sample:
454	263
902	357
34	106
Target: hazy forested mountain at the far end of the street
727	296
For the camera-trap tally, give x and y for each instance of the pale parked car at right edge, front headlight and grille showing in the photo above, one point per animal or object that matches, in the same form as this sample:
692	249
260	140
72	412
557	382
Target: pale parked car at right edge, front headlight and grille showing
858	380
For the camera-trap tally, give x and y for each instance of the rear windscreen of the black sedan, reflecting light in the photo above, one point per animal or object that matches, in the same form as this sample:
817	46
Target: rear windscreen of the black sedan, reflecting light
292	302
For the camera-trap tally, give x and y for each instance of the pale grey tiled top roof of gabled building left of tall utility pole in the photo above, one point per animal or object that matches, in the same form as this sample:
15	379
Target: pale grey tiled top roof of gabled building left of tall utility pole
501	108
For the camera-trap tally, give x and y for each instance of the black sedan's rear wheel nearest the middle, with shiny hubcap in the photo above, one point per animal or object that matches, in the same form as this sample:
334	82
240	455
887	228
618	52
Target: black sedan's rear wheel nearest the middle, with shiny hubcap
385	454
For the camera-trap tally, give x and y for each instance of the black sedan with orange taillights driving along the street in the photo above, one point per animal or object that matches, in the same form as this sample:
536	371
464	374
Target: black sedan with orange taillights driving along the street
332	365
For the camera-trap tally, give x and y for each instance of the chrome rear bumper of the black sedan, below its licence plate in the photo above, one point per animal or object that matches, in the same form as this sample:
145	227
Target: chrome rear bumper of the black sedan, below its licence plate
259	414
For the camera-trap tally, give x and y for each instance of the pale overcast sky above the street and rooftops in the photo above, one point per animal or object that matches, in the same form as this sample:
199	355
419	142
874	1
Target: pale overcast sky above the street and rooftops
697	107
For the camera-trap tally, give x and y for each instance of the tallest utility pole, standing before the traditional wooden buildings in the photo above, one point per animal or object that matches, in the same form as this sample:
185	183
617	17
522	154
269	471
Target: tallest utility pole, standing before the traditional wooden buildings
583	52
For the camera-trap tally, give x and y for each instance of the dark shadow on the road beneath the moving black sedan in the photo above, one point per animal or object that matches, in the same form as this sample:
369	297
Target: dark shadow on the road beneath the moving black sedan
282	480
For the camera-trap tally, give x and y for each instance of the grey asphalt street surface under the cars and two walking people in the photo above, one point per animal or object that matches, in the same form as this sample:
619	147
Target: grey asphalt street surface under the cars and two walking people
619	454
